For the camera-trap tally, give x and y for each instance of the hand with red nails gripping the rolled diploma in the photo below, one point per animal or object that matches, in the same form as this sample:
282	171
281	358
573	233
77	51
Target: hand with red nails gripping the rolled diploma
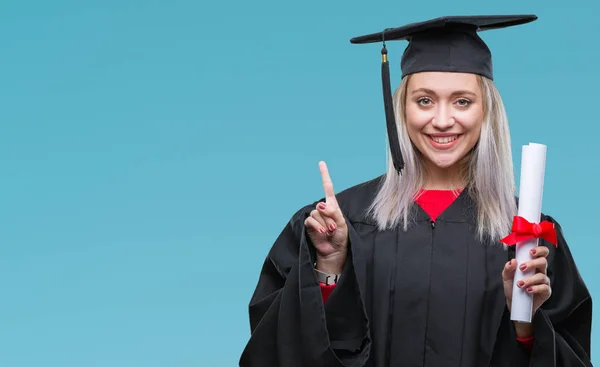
538	284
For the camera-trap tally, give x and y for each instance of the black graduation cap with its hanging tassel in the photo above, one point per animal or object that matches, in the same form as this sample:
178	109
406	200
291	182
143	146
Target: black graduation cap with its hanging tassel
449	44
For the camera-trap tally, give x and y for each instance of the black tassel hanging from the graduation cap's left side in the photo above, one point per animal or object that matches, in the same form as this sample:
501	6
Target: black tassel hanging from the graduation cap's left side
389	112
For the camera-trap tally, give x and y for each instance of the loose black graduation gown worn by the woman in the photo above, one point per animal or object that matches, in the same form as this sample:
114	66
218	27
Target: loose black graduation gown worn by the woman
430	296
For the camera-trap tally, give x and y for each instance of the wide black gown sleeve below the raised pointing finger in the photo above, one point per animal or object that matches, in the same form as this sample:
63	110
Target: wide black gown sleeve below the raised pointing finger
289	323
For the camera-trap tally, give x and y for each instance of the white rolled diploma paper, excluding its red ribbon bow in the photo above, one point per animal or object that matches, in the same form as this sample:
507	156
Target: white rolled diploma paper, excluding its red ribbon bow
533	164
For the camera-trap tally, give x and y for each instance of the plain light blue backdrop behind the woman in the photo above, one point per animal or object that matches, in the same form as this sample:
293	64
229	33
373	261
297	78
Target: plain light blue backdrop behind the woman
151	151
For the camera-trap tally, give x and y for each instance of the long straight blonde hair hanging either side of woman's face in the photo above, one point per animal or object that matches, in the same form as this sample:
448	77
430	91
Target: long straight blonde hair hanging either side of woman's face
487	170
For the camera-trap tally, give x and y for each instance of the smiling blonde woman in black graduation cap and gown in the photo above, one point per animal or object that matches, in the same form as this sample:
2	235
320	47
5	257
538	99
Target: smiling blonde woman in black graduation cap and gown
408	269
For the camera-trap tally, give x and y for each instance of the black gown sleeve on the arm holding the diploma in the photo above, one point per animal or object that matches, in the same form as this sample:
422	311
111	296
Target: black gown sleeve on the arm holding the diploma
562	325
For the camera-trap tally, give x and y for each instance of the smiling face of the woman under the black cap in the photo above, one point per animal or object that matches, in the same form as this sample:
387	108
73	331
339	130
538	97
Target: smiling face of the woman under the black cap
444	114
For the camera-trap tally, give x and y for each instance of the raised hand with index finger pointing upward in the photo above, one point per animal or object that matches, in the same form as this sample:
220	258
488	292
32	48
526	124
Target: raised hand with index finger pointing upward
327	229
